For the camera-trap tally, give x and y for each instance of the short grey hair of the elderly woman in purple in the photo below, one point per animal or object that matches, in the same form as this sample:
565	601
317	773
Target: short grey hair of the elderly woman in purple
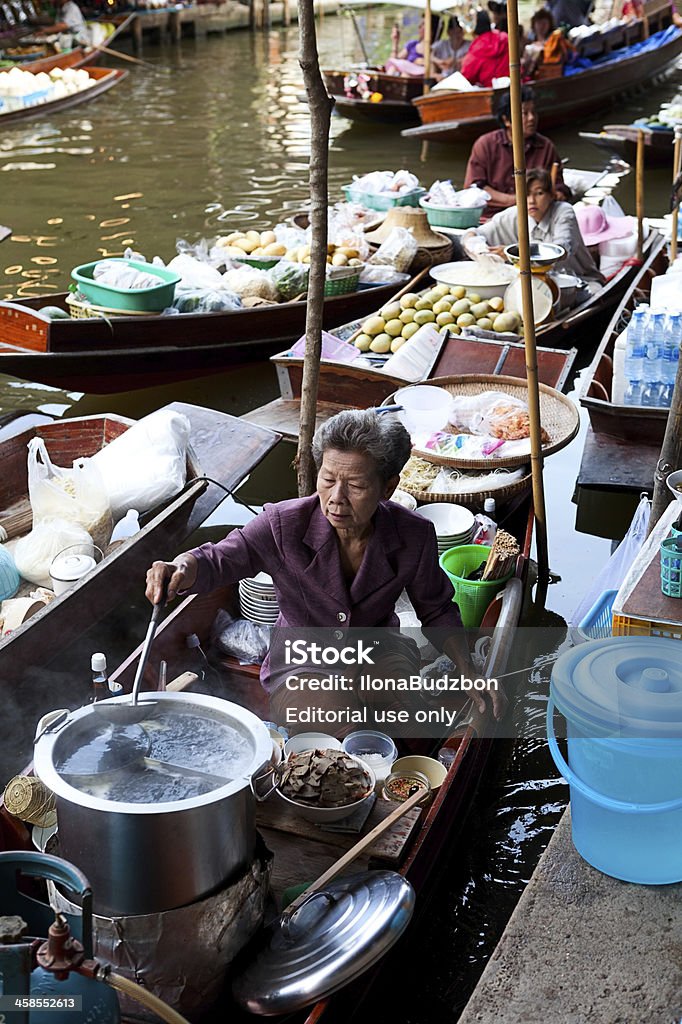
379	436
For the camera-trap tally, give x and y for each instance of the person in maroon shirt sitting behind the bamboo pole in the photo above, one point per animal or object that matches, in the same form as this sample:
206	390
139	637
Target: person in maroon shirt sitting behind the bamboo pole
491	165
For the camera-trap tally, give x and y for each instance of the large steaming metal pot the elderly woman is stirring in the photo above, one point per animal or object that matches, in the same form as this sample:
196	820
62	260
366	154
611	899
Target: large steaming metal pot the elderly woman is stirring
143	858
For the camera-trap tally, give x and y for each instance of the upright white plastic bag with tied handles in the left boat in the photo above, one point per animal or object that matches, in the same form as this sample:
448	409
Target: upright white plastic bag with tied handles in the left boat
76	495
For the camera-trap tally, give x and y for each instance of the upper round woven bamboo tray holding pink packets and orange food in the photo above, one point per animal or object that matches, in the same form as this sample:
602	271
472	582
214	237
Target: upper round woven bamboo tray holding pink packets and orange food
559	416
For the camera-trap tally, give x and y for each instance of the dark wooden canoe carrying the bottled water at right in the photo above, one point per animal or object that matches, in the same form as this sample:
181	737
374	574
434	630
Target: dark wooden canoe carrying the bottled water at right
632	423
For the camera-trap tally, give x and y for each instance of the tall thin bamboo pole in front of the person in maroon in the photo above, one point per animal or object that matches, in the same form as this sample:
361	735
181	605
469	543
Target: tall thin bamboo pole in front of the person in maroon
519	148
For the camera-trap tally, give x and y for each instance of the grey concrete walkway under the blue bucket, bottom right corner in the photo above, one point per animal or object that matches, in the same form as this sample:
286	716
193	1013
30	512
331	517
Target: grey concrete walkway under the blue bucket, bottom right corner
584	949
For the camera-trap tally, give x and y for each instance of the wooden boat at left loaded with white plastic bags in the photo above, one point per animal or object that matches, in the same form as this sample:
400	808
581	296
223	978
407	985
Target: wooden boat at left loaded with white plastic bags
223	448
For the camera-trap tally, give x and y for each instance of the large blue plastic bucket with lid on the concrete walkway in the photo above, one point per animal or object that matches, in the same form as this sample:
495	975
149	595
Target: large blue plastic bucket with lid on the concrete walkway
622	699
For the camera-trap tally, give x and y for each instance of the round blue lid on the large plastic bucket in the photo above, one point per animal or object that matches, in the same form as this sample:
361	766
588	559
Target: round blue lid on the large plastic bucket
627	687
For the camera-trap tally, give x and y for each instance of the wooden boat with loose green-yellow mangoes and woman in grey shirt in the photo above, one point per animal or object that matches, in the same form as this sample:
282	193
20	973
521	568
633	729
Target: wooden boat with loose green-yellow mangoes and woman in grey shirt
345	386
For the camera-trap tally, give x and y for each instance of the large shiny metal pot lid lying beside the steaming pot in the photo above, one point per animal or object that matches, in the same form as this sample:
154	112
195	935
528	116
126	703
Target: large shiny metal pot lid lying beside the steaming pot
331	940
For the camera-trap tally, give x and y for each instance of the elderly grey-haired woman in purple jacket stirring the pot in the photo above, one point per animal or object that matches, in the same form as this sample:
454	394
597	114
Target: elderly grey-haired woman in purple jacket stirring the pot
340	559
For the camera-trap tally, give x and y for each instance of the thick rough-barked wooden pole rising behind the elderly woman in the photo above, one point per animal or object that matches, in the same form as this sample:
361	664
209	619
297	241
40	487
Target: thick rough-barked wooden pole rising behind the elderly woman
321	107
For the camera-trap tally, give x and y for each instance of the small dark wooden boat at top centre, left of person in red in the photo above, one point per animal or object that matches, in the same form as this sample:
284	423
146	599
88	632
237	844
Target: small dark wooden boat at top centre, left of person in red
397	96
